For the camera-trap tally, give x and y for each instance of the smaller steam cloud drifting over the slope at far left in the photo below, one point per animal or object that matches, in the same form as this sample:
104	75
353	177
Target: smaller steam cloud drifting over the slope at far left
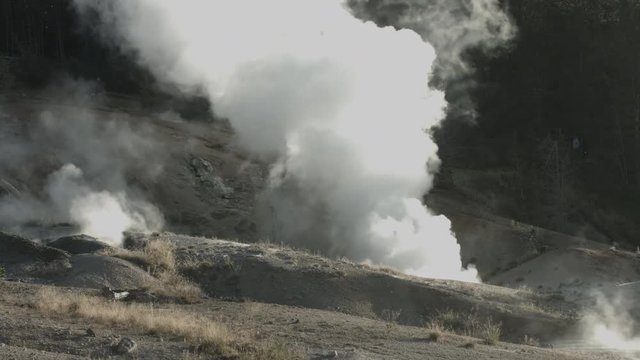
83	162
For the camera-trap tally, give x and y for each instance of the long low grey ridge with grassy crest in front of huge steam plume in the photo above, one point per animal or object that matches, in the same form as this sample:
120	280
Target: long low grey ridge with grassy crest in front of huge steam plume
284	276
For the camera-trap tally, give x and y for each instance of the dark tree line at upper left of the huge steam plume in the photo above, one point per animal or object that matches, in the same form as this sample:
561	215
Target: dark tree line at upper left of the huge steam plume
41	40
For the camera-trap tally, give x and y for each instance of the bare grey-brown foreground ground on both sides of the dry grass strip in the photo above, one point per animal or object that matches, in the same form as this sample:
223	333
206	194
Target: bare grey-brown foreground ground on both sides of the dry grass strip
320	334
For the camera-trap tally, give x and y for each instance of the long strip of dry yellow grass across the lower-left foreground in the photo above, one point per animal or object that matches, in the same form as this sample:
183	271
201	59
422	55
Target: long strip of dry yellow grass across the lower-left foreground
209	338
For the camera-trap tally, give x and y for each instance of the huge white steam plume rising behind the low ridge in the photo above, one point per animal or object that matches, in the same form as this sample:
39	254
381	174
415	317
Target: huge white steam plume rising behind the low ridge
343	105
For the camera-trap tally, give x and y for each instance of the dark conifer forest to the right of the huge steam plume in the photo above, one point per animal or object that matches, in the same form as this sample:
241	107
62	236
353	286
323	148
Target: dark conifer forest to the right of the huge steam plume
560	111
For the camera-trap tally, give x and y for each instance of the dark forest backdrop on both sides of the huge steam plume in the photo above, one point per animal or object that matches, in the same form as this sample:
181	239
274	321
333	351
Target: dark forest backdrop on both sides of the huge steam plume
553	138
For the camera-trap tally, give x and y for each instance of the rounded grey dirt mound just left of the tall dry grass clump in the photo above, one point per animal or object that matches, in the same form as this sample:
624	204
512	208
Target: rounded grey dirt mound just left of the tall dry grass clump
94	271
